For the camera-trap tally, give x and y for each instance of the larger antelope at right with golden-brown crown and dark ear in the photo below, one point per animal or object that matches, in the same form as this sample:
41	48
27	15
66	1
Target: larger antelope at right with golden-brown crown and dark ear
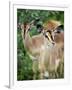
56	53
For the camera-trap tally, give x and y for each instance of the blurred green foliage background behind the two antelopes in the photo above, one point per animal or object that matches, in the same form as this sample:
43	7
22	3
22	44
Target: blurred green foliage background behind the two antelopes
24	63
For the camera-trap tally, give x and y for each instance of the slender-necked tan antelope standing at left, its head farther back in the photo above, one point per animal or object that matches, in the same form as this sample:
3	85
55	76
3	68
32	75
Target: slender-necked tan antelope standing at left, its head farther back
37	46
